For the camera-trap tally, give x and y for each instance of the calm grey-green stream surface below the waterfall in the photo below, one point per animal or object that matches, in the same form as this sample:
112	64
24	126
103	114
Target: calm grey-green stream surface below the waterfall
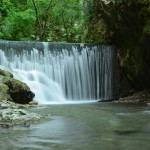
88	126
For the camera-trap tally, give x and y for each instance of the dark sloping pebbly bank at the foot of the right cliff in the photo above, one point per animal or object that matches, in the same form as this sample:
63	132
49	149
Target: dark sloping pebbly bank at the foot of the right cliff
136	97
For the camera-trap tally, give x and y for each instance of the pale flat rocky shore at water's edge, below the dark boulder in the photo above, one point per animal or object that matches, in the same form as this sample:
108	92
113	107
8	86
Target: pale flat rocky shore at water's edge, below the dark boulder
12	114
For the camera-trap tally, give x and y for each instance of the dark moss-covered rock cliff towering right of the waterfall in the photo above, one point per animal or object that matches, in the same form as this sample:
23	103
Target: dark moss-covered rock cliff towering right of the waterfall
127	25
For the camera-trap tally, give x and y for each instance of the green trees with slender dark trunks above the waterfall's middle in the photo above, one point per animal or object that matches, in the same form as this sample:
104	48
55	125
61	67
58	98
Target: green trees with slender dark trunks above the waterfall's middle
54	23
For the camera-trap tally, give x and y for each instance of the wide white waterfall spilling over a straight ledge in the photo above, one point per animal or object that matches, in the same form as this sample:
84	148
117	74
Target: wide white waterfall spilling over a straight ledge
61	72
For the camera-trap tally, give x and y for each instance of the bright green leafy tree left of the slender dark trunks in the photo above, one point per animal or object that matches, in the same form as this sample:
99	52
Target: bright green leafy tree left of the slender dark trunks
17	21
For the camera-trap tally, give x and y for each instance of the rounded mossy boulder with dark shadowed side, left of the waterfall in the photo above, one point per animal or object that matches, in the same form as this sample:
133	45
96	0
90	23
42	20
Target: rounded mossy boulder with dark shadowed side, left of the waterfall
14	90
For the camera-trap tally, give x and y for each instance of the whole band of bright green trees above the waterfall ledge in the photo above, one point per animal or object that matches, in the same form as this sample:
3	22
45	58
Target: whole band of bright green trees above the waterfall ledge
42	20
